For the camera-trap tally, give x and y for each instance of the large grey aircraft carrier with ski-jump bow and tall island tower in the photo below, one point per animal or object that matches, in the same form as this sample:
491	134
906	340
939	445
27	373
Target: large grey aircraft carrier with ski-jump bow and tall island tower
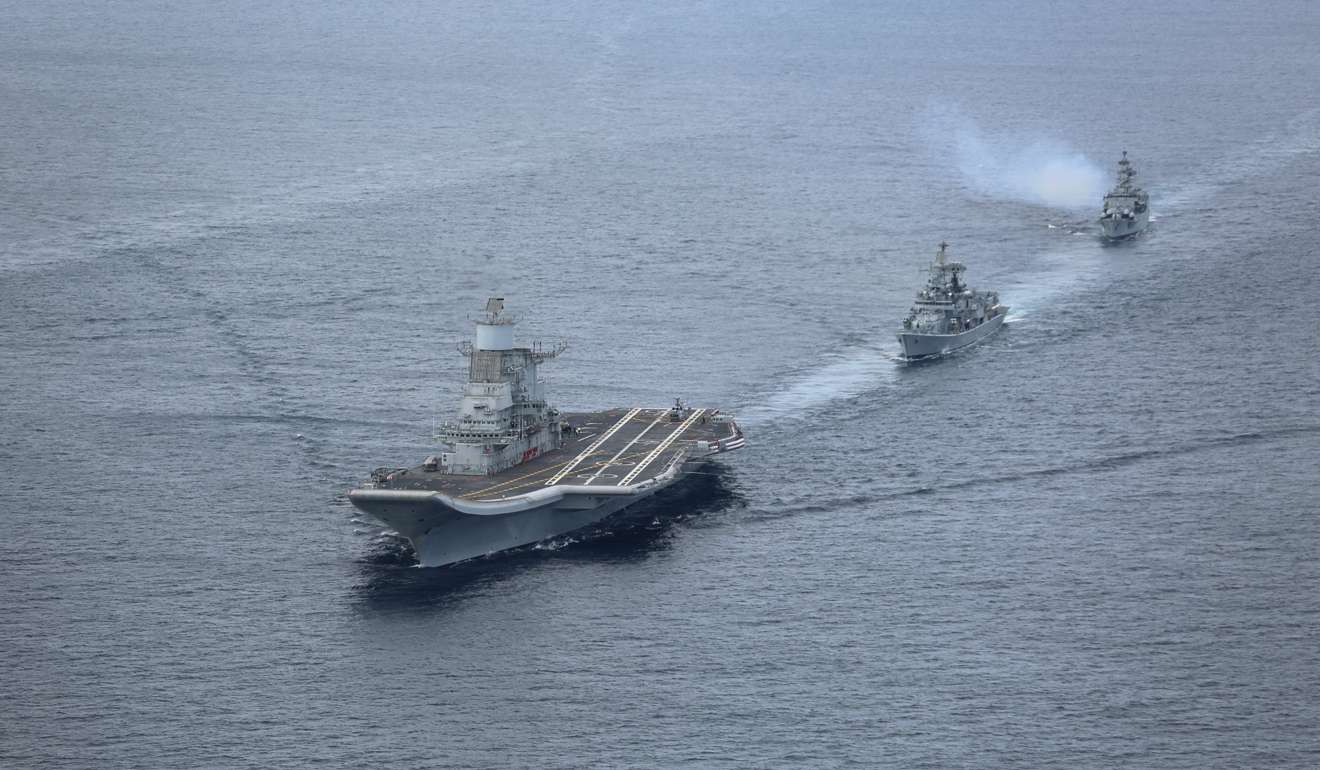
514	471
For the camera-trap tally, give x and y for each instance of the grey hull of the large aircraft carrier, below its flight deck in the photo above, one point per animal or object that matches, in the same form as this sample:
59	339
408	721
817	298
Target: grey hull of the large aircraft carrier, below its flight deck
443	533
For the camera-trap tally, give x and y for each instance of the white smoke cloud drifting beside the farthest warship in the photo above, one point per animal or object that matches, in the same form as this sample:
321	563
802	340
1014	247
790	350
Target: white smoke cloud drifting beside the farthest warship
1033	170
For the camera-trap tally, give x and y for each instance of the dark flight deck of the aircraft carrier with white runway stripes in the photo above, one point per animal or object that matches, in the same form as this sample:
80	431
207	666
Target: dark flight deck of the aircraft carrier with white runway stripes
607	466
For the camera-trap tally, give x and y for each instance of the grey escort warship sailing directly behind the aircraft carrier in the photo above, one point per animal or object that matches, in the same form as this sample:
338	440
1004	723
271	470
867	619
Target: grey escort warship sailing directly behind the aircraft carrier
947	315
